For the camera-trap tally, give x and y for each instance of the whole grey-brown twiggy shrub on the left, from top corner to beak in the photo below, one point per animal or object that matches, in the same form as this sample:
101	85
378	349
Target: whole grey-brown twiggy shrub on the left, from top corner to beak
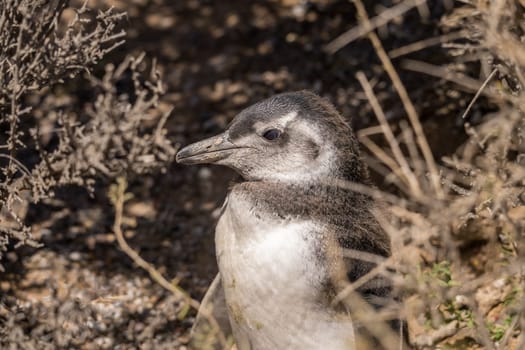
118	133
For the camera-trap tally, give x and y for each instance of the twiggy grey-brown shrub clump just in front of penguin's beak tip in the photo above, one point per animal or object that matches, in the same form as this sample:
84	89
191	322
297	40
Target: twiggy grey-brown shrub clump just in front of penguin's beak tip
118	134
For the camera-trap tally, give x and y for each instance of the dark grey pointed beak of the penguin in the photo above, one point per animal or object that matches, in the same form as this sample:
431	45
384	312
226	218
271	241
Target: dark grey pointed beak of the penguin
211	150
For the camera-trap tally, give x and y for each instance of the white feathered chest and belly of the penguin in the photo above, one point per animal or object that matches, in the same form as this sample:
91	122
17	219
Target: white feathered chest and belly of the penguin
273	278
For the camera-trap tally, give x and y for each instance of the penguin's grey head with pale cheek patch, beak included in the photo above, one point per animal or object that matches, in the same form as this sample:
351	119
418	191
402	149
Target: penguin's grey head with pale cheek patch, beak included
291	137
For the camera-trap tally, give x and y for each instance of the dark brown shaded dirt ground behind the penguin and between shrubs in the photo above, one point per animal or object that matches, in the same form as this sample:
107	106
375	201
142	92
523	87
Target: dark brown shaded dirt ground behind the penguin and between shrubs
79	290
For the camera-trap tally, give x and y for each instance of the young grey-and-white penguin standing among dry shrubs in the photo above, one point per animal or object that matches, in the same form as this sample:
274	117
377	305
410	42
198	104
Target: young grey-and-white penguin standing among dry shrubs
284	230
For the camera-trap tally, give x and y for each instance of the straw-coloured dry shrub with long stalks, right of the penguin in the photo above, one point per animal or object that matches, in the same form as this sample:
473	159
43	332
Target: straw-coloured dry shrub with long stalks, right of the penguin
459	246
